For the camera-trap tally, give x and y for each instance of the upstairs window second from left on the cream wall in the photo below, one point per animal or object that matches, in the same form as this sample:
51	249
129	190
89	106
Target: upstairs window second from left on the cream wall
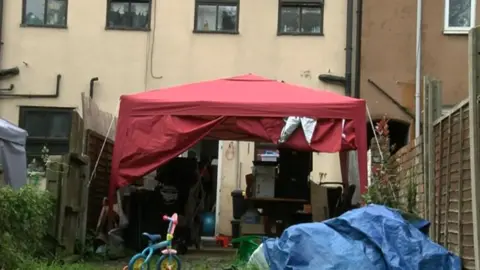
129	14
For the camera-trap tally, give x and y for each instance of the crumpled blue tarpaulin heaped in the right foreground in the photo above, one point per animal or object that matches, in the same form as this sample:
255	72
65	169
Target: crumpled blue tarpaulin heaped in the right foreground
371	237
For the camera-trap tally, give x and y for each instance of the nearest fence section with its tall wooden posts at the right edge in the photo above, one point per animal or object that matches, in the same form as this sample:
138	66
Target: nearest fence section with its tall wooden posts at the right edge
452	164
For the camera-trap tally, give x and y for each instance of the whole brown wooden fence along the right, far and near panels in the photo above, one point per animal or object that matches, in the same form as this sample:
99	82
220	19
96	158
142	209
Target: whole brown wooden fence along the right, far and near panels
439	164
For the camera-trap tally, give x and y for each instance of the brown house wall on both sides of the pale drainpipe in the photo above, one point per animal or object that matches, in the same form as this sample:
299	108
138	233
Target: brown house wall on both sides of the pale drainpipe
388	55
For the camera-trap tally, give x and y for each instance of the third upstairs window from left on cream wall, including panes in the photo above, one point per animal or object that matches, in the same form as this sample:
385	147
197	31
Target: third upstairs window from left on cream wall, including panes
216	16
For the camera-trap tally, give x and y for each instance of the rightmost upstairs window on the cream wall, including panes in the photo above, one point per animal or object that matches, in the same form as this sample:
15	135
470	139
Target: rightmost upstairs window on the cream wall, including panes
300	17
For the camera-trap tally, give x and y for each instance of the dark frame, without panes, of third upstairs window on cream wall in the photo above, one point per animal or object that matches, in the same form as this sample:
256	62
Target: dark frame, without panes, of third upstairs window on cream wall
217	4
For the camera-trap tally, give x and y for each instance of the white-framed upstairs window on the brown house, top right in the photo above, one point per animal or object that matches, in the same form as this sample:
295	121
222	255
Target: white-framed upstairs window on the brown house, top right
459	16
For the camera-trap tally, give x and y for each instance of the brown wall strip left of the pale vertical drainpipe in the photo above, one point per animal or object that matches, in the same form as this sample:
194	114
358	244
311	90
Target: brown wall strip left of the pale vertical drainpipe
387	53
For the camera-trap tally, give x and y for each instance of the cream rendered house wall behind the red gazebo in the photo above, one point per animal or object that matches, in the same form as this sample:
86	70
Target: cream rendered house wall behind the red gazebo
121	59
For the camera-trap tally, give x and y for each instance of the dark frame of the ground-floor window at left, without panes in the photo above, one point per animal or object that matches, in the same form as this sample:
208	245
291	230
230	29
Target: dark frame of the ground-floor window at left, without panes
23	113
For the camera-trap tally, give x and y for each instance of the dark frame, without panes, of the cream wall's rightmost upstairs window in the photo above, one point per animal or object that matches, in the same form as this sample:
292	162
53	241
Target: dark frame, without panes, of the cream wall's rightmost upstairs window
300	4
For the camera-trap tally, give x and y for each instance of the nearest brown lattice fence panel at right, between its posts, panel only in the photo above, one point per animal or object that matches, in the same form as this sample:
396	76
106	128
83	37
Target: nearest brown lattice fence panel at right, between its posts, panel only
453	193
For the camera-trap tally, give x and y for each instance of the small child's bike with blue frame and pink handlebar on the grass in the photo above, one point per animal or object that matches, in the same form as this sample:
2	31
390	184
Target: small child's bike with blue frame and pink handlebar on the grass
168	260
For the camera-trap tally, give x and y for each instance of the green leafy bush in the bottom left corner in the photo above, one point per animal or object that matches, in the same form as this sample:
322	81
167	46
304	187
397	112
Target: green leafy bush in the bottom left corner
25	215
